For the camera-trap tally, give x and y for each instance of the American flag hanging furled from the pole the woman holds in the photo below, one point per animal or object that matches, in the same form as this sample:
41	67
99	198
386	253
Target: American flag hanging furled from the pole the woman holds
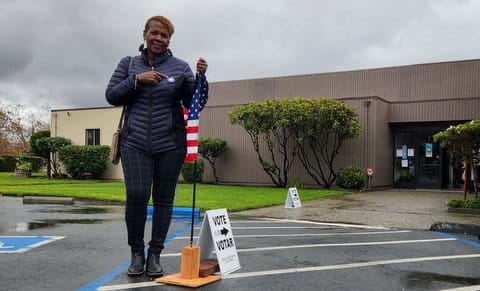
199	100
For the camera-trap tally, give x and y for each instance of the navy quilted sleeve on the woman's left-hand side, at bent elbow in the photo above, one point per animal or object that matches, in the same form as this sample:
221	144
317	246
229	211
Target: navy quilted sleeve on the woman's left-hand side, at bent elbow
121	88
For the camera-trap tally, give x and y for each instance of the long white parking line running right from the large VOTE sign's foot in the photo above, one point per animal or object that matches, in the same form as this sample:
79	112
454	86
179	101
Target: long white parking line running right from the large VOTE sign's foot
347	266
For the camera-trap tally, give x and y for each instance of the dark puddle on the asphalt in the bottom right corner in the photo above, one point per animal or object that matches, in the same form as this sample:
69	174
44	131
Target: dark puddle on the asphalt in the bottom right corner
423	279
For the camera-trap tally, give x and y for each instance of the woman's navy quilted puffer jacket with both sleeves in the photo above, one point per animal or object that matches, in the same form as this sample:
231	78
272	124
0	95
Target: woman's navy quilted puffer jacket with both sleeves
154	117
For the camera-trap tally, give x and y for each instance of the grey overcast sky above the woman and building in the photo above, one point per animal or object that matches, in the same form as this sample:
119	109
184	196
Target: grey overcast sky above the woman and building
61	53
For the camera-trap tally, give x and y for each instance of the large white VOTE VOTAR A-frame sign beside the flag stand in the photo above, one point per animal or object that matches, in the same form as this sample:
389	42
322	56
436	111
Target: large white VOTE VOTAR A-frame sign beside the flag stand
216	233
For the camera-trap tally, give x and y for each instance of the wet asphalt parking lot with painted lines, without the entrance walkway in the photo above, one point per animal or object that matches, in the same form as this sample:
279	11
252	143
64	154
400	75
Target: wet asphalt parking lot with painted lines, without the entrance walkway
87	251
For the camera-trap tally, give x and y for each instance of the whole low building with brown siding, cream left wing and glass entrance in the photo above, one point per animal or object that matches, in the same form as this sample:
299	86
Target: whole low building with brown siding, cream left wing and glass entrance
400	108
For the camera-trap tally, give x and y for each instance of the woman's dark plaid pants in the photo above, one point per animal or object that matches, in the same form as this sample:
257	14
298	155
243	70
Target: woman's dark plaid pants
146	175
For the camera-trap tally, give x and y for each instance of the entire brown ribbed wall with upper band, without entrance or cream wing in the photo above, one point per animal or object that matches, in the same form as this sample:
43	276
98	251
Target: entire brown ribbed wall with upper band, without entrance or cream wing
447	91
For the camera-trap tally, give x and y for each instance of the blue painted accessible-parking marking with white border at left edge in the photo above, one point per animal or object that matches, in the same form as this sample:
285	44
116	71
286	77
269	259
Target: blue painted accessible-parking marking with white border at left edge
20	244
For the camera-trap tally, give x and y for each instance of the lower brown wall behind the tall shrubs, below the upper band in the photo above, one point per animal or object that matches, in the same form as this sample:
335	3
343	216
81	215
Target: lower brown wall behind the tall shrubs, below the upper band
240	165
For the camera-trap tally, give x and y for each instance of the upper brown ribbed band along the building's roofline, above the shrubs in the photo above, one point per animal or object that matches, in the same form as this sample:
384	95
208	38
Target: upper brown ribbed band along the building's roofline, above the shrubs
435	81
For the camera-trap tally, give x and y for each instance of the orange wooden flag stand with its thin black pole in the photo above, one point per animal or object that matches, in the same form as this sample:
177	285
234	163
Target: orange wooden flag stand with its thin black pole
189	275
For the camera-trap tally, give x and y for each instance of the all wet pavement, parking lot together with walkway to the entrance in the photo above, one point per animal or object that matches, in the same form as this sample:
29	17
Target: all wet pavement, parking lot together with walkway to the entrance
363	241
